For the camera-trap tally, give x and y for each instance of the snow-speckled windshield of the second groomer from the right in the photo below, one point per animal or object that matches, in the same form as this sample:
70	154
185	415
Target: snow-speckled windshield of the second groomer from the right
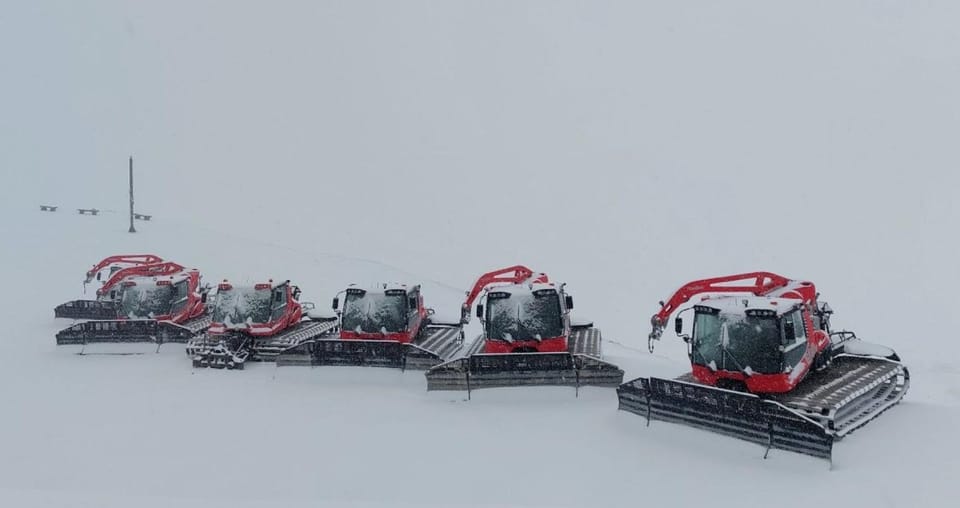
525	316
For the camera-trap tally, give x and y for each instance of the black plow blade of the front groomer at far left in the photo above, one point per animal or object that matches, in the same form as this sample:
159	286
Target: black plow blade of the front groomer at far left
132	331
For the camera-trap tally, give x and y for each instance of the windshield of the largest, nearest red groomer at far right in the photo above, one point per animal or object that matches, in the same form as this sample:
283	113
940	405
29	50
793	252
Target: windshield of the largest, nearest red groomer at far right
735	342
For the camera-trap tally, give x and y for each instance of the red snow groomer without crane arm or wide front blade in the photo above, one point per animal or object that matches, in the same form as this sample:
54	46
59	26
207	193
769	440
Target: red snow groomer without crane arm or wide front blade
255	322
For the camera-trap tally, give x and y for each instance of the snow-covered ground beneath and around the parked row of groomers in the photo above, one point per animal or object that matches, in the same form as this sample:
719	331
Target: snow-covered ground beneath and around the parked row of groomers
150	430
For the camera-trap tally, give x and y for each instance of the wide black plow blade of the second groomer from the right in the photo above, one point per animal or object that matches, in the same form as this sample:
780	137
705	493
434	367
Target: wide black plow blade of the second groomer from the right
523	369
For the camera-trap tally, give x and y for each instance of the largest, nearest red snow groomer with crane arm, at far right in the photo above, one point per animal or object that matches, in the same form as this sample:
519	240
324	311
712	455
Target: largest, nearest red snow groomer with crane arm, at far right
766	367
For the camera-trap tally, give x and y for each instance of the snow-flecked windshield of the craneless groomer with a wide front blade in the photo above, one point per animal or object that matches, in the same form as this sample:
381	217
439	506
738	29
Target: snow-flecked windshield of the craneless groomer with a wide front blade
374	312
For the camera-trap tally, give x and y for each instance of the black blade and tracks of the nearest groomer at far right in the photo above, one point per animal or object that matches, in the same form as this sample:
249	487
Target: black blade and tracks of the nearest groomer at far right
822	410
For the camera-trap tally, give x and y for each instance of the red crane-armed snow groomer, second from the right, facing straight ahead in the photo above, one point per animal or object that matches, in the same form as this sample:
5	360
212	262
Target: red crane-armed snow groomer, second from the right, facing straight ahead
528	338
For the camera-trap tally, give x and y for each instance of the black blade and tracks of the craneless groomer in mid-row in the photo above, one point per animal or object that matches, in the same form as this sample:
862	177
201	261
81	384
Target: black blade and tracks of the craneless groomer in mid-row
437	345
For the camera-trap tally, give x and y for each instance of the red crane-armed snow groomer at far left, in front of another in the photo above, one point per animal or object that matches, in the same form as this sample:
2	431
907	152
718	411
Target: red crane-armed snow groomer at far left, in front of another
168	305
